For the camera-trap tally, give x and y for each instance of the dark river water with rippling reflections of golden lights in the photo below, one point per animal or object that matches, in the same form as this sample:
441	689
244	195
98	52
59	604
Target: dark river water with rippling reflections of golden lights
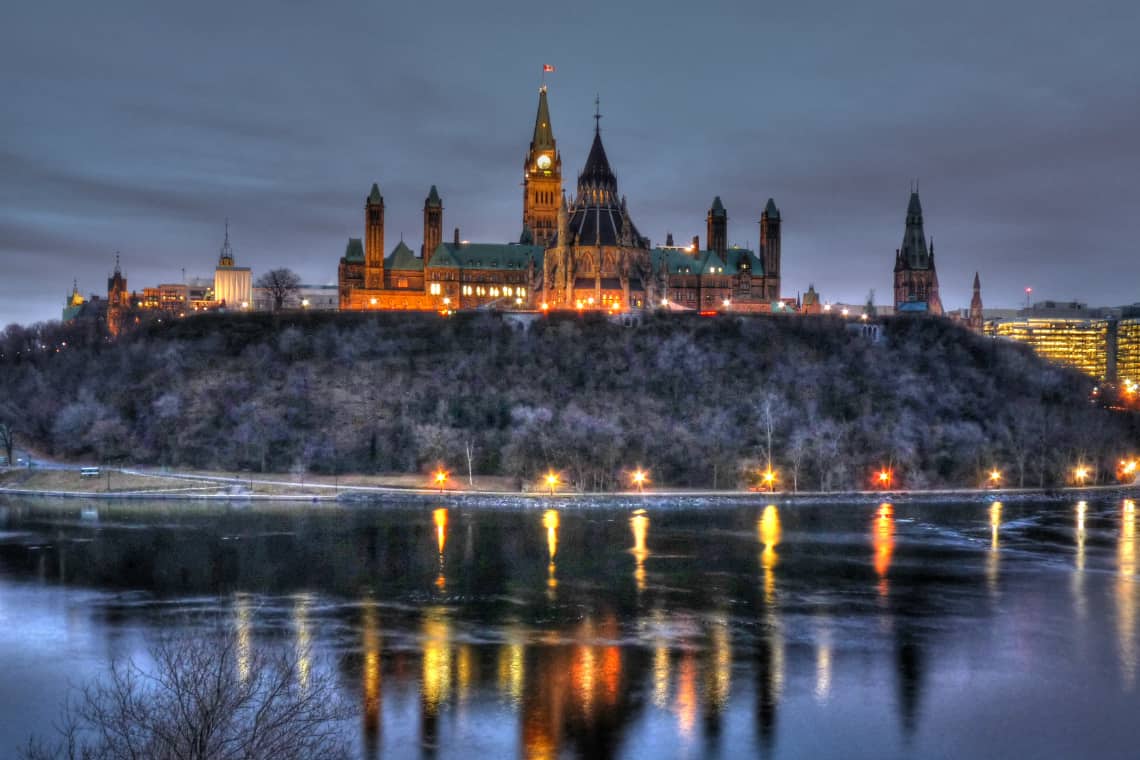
859	632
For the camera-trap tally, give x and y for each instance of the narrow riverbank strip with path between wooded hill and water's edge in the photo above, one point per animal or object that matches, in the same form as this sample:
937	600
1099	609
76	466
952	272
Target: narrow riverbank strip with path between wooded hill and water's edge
136	485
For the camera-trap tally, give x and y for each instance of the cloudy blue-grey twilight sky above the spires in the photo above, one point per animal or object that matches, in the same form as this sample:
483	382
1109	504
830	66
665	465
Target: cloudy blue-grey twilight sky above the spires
141	126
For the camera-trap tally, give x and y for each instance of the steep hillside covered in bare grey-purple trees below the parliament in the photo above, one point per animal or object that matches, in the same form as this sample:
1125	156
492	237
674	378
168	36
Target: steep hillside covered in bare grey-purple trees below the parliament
702	403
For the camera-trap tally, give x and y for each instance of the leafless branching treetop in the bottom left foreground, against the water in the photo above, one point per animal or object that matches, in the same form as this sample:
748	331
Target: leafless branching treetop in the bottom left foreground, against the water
205	699
